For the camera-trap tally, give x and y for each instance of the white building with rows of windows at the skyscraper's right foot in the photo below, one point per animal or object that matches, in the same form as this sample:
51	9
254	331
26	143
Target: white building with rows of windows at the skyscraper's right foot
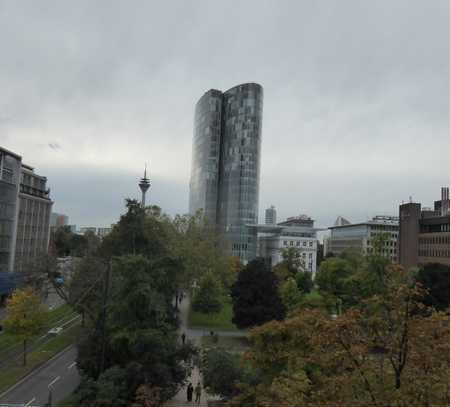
296	232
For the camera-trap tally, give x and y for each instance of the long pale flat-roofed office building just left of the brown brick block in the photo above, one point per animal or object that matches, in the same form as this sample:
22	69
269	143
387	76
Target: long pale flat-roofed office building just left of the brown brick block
360	236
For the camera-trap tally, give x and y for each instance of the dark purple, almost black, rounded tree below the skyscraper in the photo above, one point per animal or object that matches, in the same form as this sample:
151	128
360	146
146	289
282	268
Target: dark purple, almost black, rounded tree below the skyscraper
255	296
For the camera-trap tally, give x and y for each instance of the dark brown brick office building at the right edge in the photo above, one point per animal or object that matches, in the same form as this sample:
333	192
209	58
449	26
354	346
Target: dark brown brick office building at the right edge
425	232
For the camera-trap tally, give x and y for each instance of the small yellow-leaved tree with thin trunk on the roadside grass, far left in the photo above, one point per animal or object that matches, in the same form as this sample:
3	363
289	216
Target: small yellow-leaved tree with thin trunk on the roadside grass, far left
25	317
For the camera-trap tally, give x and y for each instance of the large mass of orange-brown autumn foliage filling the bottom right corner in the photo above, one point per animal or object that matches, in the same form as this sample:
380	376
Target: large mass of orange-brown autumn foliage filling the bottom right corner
389	351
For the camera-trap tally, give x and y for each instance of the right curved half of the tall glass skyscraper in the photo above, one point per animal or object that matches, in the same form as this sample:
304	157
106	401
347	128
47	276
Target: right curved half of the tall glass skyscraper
239	167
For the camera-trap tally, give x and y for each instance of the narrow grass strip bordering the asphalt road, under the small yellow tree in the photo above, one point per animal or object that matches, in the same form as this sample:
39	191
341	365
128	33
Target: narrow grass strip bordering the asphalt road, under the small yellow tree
13	374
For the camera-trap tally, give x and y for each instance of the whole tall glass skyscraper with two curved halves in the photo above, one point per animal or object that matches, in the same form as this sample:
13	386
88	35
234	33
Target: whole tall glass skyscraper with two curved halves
226	163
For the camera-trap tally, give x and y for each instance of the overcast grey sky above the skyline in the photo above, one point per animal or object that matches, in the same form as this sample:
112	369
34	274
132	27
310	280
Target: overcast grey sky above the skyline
356	98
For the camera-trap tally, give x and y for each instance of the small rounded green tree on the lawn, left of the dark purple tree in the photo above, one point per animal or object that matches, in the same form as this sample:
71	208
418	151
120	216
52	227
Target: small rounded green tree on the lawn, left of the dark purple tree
208	296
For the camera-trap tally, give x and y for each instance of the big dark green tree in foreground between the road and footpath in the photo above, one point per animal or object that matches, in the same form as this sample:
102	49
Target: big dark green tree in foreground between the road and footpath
139	332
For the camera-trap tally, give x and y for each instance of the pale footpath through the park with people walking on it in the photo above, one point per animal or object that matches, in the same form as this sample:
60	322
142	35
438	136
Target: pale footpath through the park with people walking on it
194	336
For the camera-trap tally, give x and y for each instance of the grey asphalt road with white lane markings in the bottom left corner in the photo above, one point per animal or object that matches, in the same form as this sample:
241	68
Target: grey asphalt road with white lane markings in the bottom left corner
62	371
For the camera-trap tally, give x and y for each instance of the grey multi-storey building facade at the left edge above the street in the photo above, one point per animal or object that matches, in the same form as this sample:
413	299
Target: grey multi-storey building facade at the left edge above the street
25	209
